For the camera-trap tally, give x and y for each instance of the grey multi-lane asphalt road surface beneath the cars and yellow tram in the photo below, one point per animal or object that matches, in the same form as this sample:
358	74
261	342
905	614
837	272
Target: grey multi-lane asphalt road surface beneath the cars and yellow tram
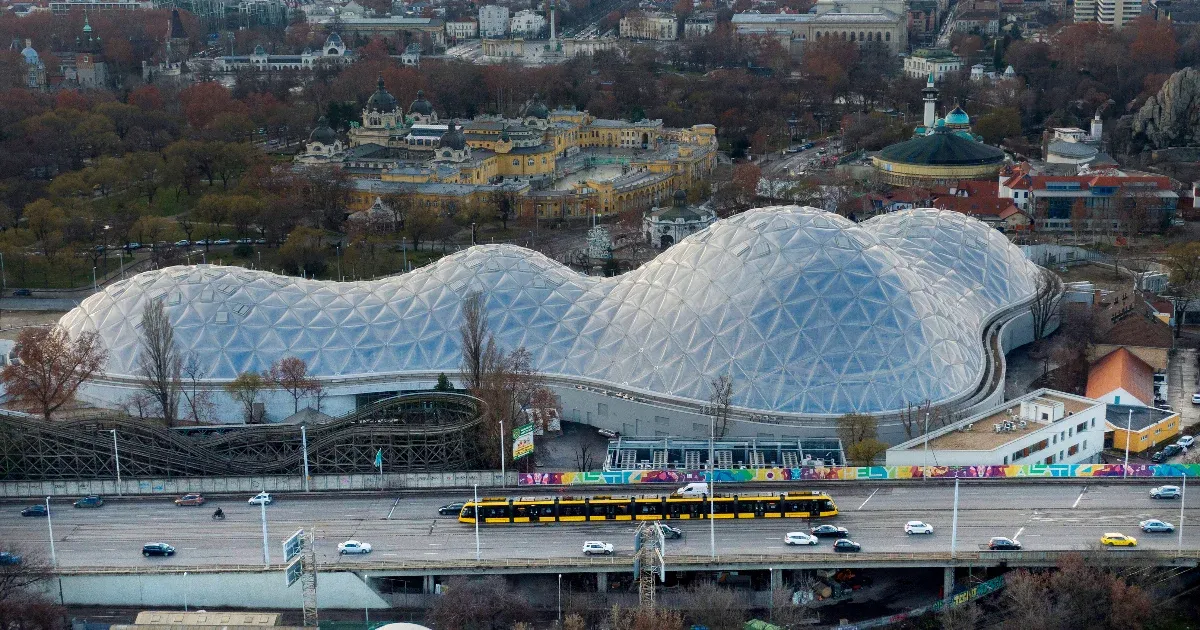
1042	517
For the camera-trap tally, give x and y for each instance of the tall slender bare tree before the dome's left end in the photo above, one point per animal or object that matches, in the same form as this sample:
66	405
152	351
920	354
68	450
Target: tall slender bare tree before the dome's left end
159	364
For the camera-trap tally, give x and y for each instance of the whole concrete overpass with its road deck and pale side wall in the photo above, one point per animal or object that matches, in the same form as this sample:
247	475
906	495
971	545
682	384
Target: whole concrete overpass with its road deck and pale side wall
221	563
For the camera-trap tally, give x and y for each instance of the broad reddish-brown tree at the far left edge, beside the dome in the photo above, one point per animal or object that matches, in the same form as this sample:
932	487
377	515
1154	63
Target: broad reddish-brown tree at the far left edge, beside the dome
51	368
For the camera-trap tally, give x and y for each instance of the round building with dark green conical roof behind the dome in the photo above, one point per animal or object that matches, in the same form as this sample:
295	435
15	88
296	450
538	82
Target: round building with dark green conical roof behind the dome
939	159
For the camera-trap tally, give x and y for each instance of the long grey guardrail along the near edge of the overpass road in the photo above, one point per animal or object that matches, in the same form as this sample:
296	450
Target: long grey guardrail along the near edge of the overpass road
625	563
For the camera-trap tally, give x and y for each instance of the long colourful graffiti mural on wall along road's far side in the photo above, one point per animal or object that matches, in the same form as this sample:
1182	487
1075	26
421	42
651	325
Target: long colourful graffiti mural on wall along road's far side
850	473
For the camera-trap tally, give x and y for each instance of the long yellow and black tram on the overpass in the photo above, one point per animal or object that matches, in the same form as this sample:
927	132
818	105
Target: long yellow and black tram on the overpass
501	511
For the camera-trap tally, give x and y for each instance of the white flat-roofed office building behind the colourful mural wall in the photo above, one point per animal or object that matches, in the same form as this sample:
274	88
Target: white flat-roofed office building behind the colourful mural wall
1042	428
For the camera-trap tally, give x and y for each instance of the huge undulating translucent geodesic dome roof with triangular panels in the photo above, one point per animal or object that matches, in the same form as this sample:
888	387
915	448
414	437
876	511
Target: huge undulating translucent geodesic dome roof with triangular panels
808	313
